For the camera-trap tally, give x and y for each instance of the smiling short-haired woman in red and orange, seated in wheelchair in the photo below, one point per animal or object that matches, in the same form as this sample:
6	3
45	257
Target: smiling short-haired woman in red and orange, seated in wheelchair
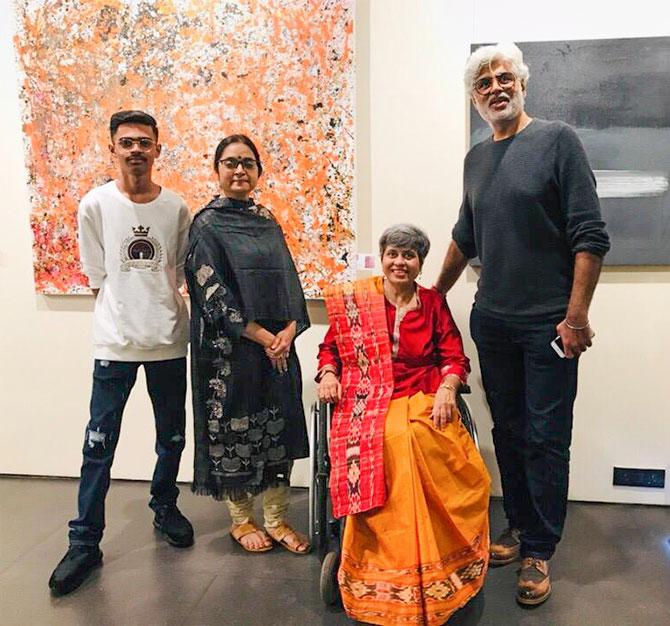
404	469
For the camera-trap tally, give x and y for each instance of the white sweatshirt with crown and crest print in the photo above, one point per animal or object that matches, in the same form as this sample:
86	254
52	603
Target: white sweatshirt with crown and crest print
134	253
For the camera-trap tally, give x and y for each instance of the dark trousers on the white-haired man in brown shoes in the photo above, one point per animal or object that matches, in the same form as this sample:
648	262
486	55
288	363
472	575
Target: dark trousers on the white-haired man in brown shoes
531	392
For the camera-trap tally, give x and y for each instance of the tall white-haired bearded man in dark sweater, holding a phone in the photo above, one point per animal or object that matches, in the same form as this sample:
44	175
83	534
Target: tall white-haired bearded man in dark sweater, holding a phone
531	214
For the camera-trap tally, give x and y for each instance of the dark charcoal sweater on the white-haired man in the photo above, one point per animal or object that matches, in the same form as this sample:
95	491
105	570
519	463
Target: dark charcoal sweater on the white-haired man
529	205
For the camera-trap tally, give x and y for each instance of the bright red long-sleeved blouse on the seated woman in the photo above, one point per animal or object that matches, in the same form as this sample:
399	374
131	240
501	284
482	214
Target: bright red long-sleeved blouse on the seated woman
426	345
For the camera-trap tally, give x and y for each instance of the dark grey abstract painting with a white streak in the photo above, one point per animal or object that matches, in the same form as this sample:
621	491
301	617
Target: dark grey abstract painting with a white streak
616	94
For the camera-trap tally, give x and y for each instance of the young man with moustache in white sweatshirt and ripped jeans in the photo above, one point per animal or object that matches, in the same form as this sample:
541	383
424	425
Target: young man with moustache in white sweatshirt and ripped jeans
133	236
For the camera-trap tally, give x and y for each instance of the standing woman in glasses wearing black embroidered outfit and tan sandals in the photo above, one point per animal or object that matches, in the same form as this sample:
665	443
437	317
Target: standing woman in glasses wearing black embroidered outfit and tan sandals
247	306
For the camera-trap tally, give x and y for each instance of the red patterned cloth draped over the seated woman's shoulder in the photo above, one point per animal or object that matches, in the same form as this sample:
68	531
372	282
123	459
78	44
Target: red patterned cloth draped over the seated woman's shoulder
357	313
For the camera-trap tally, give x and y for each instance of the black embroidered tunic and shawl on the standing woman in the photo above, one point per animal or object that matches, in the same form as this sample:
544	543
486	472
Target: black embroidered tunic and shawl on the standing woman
249	419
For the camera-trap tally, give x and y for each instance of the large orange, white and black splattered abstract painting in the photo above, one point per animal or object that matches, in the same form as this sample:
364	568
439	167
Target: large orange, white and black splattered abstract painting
278	70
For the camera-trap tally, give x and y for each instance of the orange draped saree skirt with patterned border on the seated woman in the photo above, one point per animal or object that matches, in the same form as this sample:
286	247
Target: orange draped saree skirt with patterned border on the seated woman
424	554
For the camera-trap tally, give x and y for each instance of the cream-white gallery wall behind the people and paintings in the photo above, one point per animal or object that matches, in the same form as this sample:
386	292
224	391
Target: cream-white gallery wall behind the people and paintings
411	140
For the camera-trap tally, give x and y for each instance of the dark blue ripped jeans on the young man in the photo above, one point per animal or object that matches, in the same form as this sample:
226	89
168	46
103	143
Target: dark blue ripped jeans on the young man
112	383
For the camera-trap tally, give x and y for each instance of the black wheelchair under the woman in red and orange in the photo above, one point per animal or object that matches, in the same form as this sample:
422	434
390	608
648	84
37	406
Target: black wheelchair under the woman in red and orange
325	531
